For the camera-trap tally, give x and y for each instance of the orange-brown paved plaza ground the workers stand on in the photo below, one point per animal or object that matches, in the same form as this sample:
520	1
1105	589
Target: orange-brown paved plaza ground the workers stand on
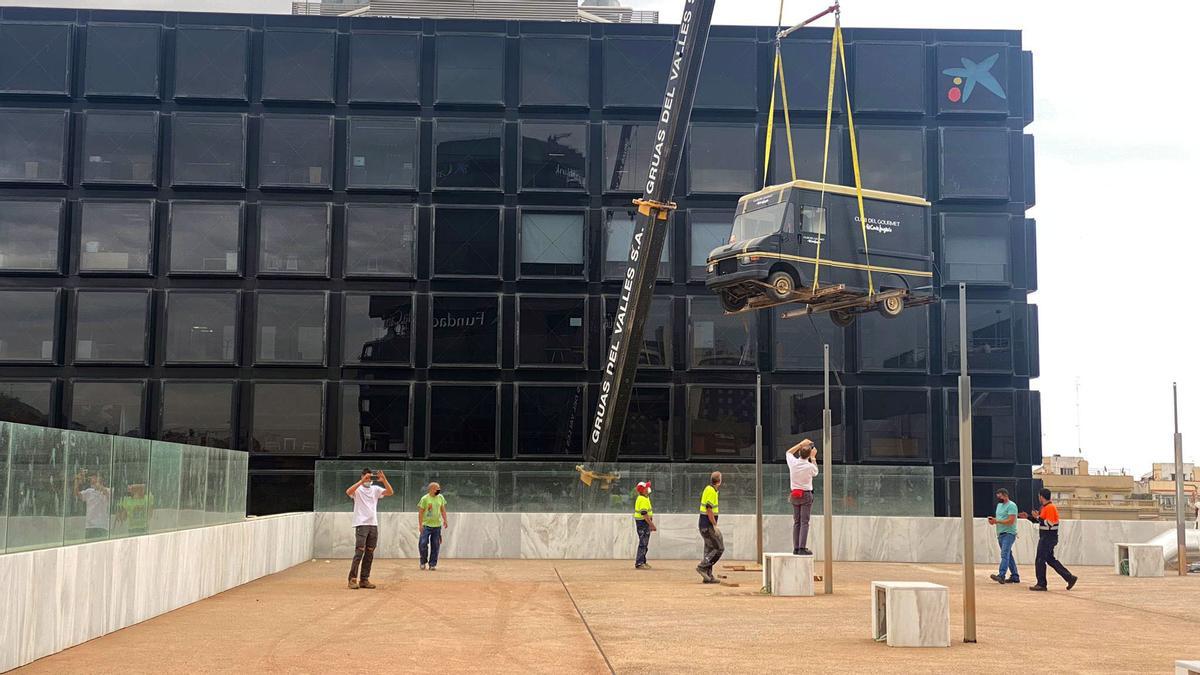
601	617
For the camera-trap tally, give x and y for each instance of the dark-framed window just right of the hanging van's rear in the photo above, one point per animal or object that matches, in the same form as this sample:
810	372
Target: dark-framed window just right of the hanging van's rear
976	249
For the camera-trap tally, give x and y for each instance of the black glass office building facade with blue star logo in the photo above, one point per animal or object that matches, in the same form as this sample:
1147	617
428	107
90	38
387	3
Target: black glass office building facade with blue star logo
362	238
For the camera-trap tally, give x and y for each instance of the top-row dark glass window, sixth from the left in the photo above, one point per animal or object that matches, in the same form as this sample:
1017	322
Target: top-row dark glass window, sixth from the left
471	69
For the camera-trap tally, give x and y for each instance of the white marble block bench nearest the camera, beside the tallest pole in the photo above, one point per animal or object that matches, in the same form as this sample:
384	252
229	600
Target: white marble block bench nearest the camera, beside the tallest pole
911	614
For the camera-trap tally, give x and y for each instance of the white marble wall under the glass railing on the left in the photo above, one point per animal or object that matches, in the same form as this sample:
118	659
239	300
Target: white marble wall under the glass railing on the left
57	599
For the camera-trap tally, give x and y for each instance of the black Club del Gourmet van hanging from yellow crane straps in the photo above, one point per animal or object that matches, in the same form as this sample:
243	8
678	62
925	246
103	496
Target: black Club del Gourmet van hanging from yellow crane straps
787	237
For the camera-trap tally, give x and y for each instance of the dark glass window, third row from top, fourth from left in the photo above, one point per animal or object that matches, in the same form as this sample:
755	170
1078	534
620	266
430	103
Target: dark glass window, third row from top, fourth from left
295	240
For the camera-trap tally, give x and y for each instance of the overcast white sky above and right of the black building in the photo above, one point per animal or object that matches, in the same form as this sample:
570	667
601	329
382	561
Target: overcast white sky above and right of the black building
1117	158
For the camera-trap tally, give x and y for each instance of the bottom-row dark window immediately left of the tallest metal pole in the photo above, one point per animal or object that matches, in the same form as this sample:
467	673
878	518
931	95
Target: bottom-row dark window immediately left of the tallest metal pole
896	425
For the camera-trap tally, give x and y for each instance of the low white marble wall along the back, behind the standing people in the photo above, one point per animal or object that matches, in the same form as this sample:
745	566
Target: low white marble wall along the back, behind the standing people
613	537
